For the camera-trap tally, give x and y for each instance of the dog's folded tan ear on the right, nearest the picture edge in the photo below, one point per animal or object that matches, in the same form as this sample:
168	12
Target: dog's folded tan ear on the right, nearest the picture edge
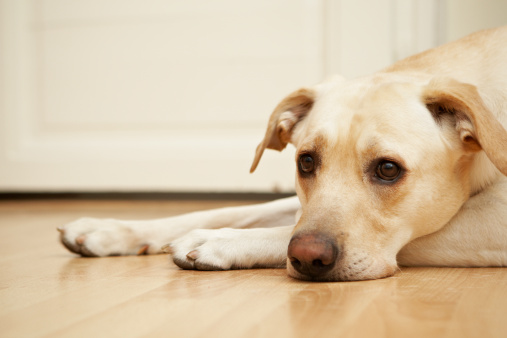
478	128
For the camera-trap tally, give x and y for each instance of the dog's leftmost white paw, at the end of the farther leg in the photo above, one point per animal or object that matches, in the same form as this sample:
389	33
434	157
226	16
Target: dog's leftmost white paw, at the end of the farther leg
92	237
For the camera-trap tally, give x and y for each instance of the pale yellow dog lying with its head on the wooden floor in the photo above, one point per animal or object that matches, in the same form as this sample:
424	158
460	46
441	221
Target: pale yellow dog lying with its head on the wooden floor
406	167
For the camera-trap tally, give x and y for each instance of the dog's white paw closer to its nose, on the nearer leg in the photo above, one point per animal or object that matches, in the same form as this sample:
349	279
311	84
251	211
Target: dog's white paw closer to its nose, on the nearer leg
206	250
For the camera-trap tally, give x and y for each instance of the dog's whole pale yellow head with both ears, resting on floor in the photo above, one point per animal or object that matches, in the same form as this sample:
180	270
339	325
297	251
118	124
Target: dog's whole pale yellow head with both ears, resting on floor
379	163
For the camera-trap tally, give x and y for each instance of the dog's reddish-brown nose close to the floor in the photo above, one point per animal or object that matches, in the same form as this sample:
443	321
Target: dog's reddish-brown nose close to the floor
312	254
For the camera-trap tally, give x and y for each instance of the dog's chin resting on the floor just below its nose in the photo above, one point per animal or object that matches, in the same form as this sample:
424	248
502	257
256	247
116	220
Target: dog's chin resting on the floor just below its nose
347	274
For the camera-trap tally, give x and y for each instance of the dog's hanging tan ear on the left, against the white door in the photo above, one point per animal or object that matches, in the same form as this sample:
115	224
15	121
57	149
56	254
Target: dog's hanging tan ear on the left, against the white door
281	124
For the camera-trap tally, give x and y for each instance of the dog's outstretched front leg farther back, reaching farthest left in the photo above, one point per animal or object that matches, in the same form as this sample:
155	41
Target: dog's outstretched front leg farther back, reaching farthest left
107	237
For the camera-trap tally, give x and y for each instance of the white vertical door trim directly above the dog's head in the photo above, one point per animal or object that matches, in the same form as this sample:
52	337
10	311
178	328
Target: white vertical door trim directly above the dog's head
363	36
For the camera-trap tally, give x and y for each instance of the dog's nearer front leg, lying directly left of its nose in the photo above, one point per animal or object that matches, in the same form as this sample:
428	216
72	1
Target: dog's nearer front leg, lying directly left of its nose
224	249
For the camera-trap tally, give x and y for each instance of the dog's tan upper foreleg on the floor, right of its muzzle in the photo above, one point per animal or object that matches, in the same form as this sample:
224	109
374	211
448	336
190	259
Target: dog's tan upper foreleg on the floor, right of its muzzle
475	237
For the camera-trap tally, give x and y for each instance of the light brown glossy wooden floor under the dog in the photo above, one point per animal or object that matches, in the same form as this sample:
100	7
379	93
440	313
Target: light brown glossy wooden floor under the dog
47	291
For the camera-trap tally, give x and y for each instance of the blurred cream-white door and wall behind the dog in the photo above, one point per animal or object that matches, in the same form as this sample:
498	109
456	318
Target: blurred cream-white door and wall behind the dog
174	96
